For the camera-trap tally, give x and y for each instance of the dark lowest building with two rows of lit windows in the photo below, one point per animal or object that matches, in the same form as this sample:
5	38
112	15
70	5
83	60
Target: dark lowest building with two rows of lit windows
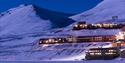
102	53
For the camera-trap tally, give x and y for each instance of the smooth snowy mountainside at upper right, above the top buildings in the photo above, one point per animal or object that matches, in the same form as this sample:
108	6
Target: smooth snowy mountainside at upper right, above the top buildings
103	11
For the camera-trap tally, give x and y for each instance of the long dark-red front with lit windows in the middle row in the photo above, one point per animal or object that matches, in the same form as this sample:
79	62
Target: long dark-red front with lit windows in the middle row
75	39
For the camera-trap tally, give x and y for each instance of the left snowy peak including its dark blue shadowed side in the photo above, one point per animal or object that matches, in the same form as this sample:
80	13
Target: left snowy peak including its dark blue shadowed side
29	19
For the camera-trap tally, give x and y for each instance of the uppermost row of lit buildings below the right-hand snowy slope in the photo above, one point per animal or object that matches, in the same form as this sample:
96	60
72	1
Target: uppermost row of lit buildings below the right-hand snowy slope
80	26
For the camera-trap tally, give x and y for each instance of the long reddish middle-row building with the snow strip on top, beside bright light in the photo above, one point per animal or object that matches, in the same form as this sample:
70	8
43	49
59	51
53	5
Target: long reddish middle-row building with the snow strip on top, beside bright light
97	35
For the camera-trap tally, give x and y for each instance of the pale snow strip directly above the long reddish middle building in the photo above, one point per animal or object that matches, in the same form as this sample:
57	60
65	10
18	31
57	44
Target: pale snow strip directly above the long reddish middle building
95	32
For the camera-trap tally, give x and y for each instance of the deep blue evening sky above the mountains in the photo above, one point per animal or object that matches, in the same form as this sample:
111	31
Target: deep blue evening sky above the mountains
66	6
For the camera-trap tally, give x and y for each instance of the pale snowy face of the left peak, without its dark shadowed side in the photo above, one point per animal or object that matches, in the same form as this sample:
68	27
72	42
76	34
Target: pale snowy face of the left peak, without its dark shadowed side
22	20
